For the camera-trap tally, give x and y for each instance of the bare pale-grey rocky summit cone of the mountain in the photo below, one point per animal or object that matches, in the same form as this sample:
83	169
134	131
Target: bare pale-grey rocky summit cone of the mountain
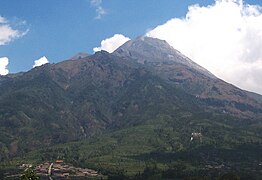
152	50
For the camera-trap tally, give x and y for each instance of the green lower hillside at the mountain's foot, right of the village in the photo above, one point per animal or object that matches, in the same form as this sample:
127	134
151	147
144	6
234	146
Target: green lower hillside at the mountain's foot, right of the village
162	148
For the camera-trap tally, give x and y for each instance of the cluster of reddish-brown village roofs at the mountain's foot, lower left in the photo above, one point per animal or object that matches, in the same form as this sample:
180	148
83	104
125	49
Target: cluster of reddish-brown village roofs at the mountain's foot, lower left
61	170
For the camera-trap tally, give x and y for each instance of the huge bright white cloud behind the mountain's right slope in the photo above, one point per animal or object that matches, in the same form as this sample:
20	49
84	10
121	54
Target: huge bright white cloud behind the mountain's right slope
225	38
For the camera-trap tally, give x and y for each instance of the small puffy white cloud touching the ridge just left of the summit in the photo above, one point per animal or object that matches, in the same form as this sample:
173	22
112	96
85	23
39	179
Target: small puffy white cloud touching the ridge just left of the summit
112	43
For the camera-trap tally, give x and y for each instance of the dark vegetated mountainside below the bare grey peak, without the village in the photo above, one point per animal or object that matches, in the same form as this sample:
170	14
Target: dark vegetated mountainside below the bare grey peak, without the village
129	120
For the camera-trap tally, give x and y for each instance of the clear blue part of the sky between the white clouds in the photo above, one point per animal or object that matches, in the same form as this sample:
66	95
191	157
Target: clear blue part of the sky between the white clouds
58	29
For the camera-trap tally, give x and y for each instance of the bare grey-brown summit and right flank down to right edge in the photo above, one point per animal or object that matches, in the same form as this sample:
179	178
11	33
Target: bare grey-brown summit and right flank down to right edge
175	68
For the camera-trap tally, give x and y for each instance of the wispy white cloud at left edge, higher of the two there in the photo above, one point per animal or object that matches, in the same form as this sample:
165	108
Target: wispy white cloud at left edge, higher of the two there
7	33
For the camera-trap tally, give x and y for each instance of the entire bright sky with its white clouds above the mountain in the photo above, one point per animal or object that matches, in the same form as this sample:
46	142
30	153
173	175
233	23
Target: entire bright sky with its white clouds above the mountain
224	36
